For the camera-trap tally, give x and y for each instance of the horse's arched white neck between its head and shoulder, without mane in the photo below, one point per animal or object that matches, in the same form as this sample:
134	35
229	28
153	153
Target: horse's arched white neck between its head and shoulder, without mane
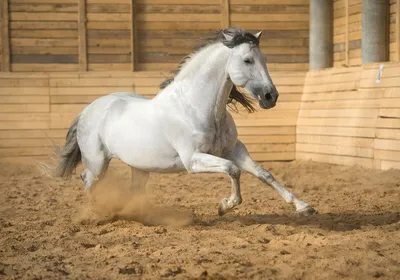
204	82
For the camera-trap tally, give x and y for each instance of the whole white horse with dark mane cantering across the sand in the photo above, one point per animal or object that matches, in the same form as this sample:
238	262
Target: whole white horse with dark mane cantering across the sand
185	127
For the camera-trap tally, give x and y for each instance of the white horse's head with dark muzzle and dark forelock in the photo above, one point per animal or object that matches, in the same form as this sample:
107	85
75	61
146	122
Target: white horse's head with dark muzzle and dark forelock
247	67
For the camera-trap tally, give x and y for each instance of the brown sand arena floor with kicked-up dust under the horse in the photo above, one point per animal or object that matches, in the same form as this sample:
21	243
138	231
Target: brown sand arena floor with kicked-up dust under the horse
49	230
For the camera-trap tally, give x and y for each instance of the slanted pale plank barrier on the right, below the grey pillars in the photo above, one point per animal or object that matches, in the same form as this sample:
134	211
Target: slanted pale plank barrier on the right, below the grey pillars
346	117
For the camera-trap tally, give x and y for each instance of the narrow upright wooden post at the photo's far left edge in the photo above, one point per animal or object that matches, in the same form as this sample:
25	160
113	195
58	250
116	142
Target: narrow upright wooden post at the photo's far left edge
5	58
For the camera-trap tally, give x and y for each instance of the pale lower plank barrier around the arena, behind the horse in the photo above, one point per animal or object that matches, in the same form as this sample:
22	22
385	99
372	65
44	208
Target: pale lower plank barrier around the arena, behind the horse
338	115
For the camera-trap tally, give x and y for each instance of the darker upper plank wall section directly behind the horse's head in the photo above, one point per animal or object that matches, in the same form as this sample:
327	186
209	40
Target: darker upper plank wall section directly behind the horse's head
167	30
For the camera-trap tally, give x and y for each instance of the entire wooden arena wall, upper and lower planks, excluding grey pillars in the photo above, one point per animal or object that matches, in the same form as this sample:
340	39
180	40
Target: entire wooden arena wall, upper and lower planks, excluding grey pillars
59	55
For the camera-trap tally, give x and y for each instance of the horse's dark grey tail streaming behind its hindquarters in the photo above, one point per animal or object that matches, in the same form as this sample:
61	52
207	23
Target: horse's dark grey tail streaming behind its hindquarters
67	158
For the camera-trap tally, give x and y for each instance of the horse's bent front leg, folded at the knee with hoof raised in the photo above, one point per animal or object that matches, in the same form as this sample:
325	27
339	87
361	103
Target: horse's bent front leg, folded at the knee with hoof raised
201	163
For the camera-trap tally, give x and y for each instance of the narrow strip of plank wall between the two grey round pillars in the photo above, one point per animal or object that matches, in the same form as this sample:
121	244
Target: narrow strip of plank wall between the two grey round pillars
347	32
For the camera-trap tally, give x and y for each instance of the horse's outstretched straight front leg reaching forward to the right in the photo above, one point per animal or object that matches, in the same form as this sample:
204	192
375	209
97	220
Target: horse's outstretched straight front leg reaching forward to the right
242	159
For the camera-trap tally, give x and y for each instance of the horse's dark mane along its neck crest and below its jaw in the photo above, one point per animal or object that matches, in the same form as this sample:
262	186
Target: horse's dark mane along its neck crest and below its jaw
238	36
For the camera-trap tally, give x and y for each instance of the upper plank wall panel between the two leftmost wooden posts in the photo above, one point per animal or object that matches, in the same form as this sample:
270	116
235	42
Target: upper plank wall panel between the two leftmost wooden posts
44	35
